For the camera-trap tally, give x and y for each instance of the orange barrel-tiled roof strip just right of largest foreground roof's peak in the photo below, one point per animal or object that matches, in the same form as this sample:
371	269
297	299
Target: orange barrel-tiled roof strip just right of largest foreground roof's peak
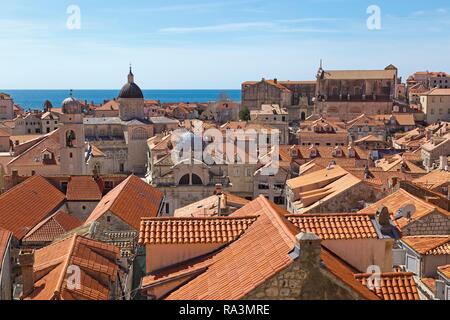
342	226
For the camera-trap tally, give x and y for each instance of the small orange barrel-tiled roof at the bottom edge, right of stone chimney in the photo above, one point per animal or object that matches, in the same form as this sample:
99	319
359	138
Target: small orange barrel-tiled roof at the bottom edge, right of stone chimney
393	286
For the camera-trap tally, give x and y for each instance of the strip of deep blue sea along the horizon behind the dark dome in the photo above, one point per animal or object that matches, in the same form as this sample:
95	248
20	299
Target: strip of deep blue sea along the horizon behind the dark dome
34	99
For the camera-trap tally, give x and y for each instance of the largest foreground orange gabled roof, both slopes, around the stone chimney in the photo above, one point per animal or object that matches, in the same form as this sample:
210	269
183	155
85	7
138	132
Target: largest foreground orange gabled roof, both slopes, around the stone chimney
260	253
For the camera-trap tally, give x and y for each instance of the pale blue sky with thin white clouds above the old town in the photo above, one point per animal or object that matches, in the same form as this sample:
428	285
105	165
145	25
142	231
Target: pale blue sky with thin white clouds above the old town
212	44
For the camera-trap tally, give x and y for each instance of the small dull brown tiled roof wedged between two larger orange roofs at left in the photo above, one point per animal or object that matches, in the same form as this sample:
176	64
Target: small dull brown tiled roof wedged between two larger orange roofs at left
52	227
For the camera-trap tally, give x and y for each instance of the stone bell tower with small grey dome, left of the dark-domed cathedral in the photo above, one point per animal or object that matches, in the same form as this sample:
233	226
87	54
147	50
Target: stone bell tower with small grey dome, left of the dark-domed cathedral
72	138
